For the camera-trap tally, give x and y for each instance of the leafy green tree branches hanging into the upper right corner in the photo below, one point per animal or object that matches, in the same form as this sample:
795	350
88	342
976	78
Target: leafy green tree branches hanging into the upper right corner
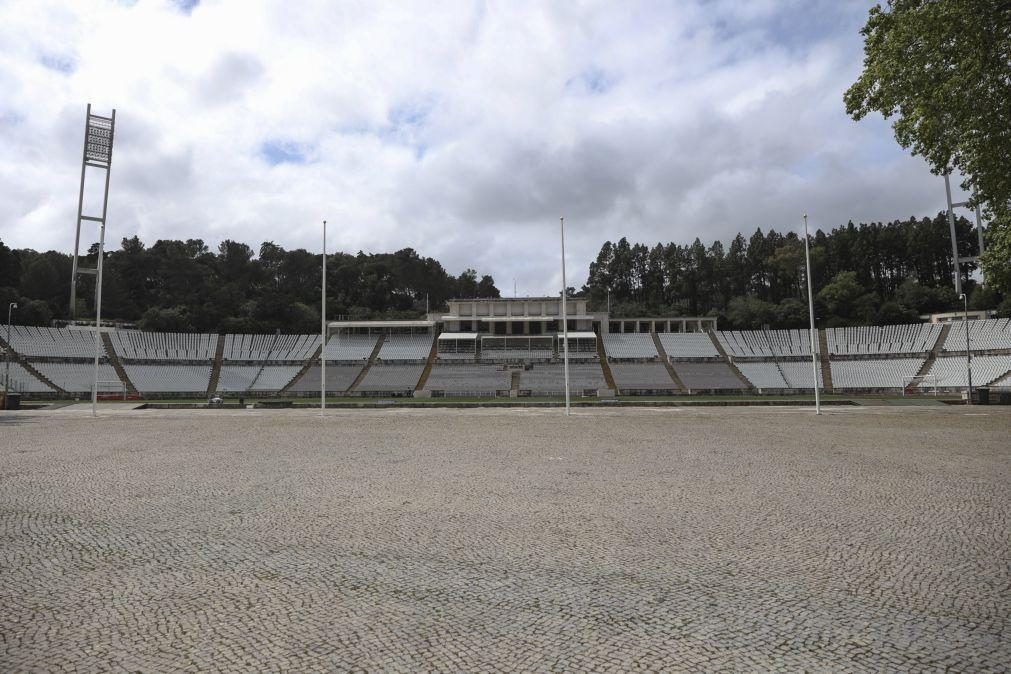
943	67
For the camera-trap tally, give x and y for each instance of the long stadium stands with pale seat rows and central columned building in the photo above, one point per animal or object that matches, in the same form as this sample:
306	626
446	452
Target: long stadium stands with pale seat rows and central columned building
514	348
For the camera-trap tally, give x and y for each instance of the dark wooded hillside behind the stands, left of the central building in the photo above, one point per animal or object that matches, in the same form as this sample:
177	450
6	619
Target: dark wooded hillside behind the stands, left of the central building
182	286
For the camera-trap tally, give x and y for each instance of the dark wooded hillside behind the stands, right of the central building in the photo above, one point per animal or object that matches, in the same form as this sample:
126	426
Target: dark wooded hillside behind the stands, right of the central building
878	273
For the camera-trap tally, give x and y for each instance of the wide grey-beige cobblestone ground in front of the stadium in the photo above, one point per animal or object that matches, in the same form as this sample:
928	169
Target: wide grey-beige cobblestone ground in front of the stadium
503	541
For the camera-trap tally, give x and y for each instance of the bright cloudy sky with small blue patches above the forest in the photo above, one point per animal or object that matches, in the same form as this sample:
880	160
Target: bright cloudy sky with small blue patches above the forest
464	130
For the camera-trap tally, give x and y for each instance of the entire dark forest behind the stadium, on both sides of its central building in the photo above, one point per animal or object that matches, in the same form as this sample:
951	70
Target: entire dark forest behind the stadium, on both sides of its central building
863	274
